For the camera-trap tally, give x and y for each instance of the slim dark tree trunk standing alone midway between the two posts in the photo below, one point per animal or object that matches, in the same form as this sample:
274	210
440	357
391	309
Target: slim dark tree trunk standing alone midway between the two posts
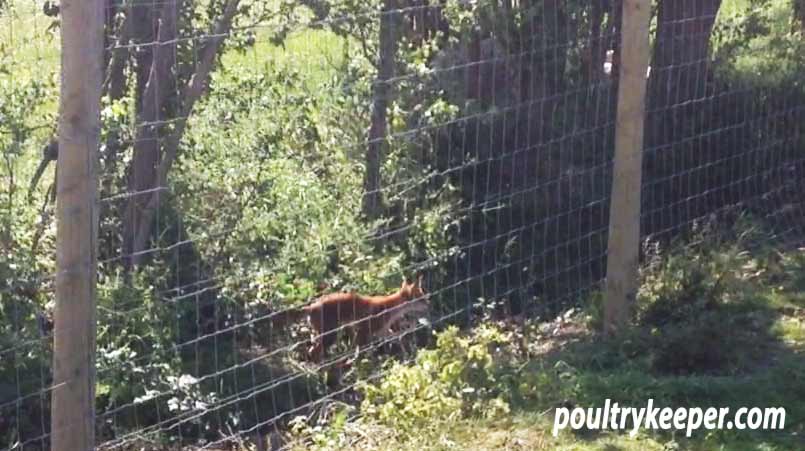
381	93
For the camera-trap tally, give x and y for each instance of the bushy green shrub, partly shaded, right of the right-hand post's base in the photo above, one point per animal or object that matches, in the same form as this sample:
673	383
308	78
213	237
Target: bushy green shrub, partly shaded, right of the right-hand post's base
695	301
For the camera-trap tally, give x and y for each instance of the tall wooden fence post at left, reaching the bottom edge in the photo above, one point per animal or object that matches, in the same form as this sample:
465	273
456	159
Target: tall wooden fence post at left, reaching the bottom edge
73	395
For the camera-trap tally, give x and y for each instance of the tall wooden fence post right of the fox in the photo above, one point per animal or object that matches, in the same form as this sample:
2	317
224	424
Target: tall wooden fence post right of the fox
624	214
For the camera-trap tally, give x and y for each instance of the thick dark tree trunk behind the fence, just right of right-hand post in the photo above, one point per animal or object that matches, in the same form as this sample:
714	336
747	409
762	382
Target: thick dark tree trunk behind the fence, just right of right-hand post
678	91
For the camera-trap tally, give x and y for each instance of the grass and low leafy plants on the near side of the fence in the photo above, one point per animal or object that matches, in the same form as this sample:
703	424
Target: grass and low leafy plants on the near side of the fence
718	322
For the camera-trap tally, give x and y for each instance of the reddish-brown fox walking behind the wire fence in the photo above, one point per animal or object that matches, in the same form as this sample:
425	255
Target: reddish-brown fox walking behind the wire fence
365	316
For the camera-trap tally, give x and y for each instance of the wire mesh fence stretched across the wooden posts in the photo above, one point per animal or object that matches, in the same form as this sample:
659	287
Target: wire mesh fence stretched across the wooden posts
258	156
